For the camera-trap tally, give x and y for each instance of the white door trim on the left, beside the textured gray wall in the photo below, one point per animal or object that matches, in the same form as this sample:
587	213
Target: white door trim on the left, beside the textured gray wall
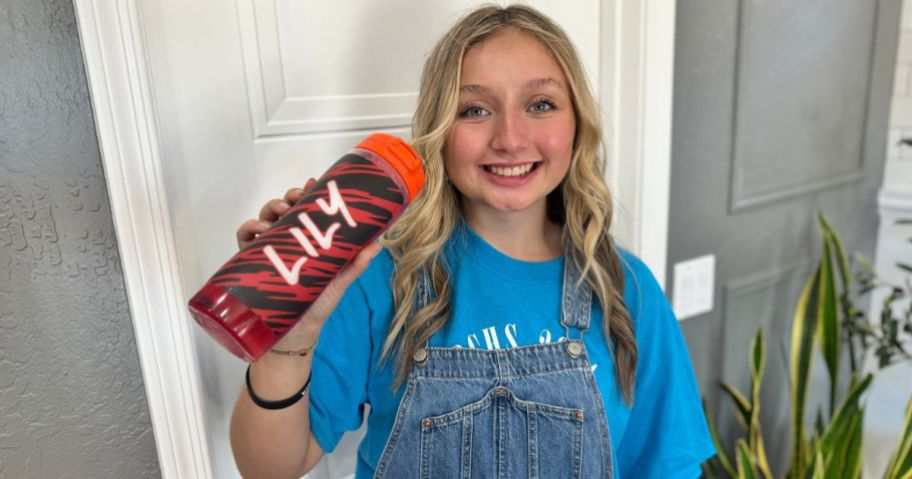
114	50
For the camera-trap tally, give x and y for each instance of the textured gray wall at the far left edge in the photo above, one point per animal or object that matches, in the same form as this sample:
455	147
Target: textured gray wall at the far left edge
72	400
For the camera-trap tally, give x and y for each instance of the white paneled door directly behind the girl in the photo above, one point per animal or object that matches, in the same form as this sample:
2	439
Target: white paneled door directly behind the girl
256	96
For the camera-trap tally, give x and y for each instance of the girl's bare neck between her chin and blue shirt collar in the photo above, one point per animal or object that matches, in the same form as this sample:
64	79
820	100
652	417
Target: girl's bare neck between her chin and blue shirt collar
526	236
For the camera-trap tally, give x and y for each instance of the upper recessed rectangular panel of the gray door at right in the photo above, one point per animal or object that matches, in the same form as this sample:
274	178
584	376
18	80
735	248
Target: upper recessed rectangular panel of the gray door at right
800	97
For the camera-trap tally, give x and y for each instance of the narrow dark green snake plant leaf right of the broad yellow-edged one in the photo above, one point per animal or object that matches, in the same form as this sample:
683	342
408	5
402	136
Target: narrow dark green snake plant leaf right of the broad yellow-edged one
828	322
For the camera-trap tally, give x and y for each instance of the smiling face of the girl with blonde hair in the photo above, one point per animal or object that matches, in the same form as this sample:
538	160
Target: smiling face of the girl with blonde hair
512	139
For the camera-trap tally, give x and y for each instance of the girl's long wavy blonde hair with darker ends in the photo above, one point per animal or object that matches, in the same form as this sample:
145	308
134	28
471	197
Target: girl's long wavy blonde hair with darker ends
581	204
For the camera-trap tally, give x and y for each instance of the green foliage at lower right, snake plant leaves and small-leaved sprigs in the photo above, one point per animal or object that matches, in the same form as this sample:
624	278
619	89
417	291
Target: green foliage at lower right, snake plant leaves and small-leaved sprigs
828	315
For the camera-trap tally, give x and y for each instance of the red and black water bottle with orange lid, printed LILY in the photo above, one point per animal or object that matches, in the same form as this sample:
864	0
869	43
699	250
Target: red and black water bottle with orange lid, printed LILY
261	292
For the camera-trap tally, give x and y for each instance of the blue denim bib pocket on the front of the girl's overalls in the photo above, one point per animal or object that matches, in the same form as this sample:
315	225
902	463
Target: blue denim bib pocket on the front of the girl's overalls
503	434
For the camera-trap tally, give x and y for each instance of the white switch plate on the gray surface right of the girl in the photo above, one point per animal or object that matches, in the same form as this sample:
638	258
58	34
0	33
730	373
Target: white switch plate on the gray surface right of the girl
694	286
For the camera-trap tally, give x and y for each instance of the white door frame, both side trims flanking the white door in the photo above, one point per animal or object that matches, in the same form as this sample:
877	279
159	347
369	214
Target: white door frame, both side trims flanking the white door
636	92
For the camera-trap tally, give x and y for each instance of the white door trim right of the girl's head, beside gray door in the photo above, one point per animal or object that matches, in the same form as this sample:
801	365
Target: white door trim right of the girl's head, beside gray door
637	71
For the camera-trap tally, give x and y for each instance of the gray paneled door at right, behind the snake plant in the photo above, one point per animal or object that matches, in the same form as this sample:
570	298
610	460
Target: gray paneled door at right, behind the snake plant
780	108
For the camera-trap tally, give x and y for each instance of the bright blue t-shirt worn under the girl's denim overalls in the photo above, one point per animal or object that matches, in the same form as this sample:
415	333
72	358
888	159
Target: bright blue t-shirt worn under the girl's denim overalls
500	302
